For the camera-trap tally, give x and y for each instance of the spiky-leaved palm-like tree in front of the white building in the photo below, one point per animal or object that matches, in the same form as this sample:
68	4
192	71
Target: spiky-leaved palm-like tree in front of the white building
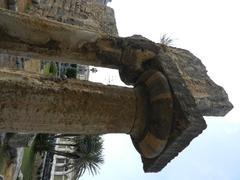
84	151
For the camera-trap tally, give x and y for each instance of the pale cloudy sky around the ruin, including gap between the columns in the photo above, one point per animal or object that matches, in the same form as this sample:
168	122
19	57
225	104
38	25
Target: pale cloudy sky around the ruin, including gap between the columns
210	29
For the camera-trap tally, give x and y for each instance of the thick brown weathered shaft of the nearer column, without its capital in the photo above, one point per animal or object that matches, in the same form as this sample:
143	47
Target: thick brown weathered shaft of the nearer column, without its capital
30	103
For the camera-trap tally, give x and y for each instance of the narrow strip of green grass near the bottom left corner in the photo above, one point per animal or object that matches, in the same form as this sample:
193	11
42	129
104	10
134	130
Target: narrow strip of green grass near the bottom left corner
28	162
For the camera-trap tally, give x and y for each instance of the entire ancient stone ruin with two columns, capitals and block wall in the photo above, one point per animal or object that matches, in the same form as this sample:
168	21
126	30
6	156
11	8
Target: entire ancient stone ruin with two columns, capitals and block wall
163	111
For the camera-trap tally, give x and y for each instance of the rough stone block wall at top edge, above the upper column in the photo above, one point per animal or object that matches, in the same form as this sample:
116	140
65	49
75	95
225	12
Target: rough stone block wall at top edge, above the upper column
93	15
